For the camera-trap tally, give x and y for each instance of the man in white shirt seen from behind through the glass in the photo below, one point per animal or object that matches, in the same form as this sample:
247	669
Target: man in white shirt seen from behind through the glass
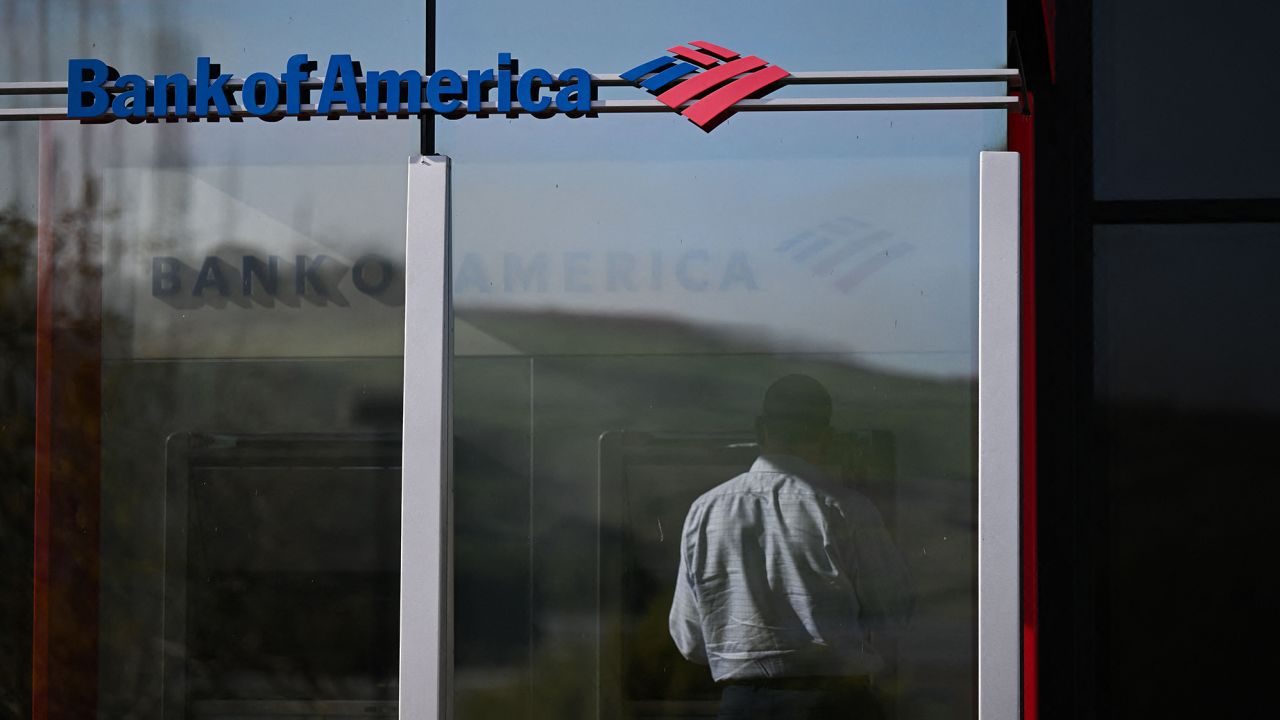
784	575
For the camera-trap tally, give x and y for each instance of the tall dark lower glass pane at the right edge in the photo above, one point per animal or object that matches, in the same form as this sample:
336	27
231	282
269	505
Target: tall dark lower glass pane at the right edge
1188	409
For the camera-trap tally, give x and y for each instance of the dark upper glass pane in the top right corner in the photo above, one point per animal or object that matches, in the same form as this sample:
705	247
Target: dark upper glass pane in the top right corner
1162	130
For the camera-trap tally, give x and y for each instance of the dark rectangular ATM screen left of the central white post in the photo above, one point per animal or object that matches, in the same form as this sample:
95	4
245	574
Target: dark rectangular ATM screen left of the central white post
282	577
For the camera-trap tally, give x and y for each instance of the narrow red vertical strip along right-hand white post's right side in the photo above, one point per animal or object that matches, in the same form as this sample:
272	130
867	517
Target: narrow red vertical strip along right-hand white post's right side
1022	139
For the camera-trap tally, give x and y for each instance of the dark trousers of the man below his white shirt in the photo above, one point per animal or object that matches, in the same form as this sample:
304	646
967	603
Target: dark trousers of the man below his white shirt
797	703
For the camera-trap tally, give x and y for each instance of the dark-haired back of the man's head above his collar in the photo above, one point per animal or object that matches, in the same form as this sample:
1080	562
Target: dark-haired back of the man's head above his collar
796	420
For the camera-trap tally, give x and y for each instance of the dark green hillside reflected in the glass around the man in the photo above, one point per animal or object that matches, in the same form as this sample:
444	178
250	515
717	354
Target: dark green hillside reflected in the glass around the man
574	477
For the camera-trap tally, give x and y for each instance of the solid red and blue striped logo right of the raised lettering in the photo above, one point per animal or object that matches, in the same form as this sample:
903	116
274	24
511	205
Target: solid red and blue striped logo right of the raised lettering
711	78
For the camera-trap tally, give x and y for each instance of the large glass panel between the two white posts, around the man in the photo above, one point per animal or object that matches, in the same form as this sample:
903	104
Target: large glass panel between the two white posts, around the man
627	288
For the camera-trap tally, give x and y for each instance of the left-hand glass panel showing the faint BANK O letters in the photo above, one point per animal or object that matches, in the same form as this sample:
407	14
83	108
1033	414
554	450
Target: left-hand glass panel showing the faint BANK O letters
231	295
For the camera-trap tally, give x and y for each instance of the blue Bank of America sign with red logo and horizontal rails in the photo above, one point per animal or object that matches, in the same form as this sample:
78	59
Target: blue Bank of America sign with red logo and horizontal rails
705	83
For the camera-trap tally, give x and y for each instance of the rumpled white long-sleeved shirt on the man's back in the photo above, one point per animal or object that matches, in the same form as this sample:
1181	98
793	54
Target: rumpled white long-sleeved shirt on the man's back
783	573
